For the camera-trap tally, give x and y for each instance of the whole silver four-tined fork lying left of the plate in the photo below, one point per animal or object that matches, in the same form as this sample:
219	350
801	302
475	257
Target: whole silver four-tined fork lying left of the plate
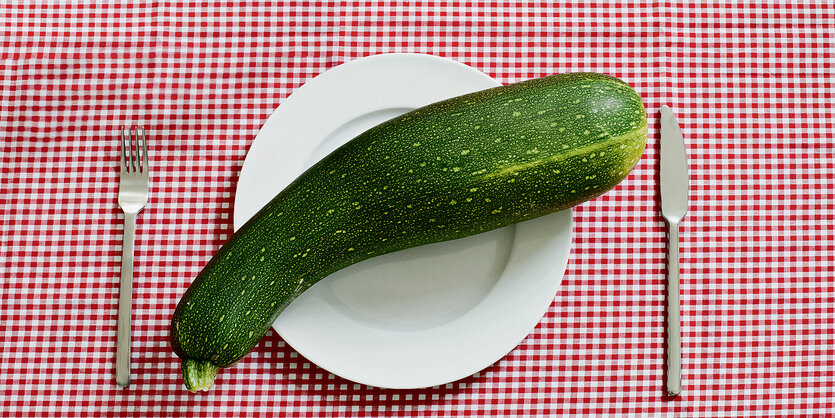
133	195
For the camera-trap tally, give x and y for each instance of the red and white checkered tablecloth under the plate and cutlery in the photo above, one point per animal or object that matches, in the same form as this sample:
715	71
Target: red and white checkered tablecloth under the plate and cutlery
751	83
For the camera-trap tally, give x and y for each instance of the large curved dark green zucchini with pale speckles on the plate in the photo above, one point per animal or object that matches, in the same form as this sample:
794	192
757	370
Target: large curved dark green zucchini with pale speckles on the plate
448	170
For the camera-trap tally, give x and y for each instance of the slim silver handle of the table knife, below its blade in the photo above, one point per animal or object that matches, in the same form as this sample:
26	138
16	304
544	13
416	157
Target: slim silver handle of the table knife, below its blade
673	314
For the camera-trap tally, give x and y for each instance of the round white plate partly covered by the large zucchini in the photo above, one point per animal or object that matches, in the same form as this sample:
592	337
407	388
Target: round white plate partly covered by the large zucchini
420	317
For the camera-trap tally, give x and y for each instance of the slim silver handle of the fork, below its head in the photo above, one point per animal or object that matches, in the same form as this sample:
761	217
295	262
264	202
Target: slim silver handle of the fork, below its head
125	302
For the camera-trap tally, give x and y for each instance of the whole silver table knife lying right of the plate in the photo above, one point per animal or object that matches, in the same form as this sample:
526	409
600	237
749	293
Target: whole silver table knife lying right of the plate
673	208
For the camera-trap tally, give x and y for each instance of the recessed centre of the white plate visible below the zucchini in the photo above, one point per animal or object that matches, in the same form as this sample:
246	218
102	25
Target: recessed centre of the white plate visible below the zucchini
454	277
